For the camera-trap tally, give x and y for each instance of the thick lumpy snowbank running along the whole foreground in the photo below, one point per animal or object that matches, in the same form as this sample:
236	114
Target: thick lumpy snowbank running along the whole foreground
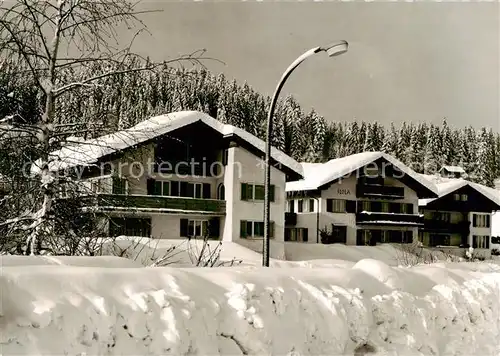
451	309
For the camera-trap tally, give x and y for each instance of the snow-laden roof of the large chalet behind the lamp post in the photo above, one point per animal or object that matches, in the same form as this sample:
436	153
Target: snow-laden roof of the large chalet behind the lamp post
89	152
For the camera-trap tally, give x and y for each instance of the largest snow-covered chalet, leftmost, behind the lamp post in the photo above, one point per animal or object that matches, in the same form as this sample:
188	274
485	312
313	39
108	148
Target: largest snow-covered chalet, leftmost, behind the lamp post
180	175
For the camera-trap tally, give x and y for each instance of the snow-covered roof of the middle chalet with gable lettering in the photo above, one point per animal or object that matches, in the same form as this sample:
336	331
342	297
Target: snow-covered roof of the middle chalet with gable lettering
317	175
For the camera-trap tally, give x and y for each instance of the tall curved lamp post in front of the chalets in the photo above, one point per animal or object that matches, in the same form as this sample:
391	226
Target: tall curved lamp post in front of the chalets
332	50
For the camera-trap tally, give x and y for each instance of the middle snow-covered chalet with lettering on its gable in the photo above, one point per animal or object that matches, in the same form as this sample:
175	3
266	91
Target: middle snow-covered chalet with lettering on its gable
362	199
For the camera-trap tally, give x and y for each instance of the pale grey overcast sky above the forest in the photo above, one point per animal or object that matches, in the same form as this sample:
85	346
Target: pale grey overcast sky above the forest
406	61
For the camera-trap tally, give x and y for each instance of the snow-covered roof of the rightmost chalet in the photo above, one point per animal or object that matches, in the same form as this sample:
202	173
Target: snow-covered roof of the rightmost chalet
446	186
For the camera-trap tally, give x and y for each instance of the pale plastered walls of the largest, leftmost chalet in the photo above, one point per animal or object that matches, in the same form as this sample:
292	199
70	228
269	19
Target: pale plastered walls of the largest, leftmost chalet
242	167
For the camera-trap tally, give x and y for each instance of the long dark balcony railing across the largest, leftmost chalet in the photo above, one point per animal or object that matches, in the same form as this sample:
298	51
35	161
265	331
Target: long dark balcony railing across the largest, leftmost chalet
155	202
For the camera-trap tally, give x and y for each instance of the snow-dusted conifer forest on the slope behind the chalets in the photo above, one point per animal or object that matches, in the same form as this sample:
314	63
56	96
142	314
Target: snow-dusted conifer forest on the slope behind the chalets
122	101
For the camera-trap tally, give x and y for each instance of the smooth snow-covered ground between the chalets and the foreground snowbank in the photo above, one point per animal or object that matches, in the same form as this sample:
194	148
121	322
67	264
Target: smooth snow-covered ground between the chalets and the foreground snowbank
181	253
